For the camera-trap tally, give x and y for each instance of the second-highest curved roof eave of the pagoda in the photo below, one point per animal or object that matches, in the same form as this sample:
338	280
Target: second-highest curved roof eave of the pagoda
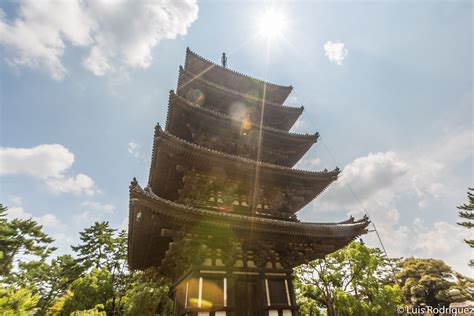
282	117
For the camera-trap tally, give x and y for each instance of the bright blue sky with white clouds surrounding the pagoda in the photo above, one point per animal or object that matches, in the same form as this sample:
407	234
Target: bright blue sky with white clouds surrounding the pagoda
388	86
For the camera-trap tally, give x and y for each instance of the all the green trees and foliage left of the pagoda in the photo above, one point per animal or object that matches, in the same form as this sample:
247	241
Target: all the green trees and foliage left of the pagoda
96	283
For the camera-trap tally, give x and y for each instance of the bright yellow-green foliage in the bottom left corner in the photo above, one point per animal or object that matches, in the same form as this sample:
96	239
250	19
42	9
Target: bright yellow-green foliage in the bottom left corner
17	301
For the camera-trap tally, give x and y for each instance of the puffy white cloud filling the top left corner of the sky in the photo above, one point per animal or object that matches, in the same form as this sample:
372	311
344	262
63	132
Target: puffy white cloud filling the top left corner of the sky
37	37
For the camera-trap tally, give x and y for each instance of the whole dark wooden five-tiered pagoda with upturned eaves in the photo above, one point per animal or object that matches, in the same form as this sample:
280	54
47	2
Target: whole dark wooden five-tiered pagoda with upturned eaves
218	216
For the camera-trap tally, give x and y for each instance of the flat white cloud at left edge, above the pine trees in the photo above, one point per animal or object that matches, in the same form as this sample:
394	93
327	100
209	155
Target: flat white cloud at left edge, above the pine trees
48	162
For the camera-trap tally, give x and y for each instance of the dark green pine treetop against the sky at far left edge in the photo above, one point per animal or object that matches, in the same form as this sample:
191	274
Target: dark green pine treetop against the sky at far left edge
19	239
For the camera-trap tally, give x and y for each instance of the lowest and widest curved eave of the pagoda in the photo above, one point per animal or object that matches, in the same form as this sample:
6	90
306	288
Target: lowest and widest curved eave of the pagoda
147	246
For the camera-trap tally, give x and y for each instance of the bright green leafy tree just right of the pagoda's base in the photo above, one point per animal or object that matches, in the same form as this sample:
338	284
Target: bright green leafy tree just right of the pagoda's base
352	280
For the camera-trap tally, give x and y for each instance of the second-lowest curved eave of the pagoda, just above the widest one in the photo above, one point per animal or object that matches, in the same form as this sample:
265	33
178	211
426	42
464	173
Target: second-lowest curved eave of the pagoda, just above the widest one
170	151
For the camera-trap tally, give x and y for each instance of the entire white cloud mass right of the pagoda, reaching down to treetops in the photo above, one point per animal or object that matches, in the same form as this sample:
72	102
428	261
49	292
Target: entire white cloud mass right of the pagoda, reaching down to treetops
383	180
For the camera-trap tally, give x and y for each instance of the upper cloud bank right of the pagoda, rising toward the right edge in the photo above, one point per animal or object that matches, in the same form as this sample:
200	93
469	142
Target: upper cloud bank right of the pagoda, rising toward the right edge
380	179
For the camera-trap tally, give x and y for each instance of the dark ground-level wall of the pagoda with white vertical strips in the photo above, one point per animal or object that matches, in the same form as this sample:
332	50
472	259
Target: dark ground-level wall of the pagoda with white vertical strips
236	293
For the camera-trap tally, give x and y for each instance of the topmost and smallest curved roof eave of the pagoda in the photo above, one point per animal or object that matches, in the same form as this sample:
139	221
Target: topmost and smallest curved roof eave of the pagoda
208	69
